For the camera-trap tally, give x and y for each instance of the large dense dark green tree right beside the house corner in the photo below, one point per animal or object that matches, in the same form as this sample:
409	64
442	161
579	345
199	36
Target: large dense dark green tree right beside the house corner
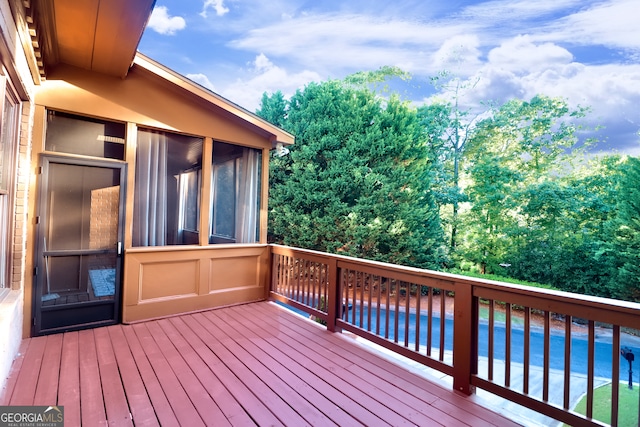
356	181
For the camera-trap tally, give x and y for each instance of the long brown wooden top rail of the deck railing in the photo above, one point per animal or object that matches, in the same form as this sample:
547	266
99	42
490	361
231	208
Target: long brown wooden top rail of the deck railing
555	296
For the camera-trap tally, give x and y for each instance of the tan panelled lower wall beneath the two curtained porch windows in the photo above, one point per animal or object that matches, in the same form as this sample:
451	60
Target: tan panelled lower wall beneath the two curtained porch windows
167	281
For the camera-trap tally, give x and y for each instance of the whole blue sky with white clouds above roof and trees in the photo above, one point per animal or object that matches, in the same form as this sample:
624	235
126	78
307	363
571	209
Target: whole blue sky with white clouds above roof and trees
586	51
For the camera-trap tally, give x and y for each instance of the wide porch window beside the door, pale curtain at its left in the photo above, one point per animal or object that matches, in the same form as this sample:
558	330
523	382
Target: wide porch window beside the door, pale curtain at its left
162	199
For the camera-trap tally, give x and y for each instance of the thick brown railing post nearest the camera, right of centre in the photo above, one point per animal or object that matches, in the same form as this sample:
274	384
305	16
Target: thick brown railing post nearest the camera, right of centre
465	346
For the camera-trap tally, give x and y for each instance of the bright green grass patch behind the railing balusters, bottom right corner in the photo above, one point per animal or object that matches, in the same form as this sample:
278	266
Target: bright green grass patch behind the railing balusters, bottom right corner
627	408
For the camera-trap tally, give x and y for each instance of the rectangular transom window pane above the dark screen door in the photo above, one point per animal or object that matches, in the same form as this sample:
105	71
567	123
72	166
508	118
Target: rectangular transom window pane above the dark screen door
67	133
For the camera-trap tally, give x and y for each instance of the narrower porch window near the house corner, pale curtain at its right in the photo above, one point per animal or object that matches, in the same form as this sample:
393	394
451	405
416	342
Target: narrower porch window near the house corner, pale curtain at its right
236	182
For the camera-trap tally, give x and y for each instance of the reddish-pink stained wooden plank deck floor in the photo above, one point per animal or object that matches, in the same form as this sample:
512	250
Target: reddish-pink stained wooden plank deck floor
255	364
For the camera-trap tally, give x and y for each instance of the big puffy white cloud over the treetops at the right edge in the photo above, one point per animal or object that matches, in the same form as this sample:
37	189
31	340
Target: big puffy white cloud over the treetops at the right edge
521	69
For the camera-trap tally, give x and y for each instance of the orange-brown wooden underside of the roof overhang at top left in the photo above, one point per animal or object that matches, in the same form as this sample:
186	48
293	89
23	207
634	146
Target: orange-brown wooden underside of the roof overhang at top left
96	35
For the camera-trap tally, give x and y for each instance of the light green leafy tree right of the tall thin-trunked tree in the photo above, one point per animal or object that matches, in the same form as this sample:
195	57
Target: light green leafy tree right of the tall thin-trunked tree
520	207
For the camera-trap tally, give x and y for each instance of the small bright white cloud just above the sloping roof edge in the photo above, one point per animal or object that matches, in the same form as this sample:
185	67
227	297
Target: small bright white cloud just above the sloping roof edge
264	76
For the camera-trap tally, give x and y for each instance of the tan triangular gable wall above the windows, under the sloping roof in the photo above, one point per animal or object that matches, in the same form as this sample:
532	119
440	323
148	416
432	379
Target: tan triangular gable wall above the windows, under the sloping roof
146	100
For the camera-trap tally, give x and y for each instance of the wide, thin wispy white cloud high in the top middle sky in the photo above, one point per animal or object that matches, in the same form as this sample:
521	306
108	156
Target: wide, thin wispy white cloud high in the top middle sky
349	42
